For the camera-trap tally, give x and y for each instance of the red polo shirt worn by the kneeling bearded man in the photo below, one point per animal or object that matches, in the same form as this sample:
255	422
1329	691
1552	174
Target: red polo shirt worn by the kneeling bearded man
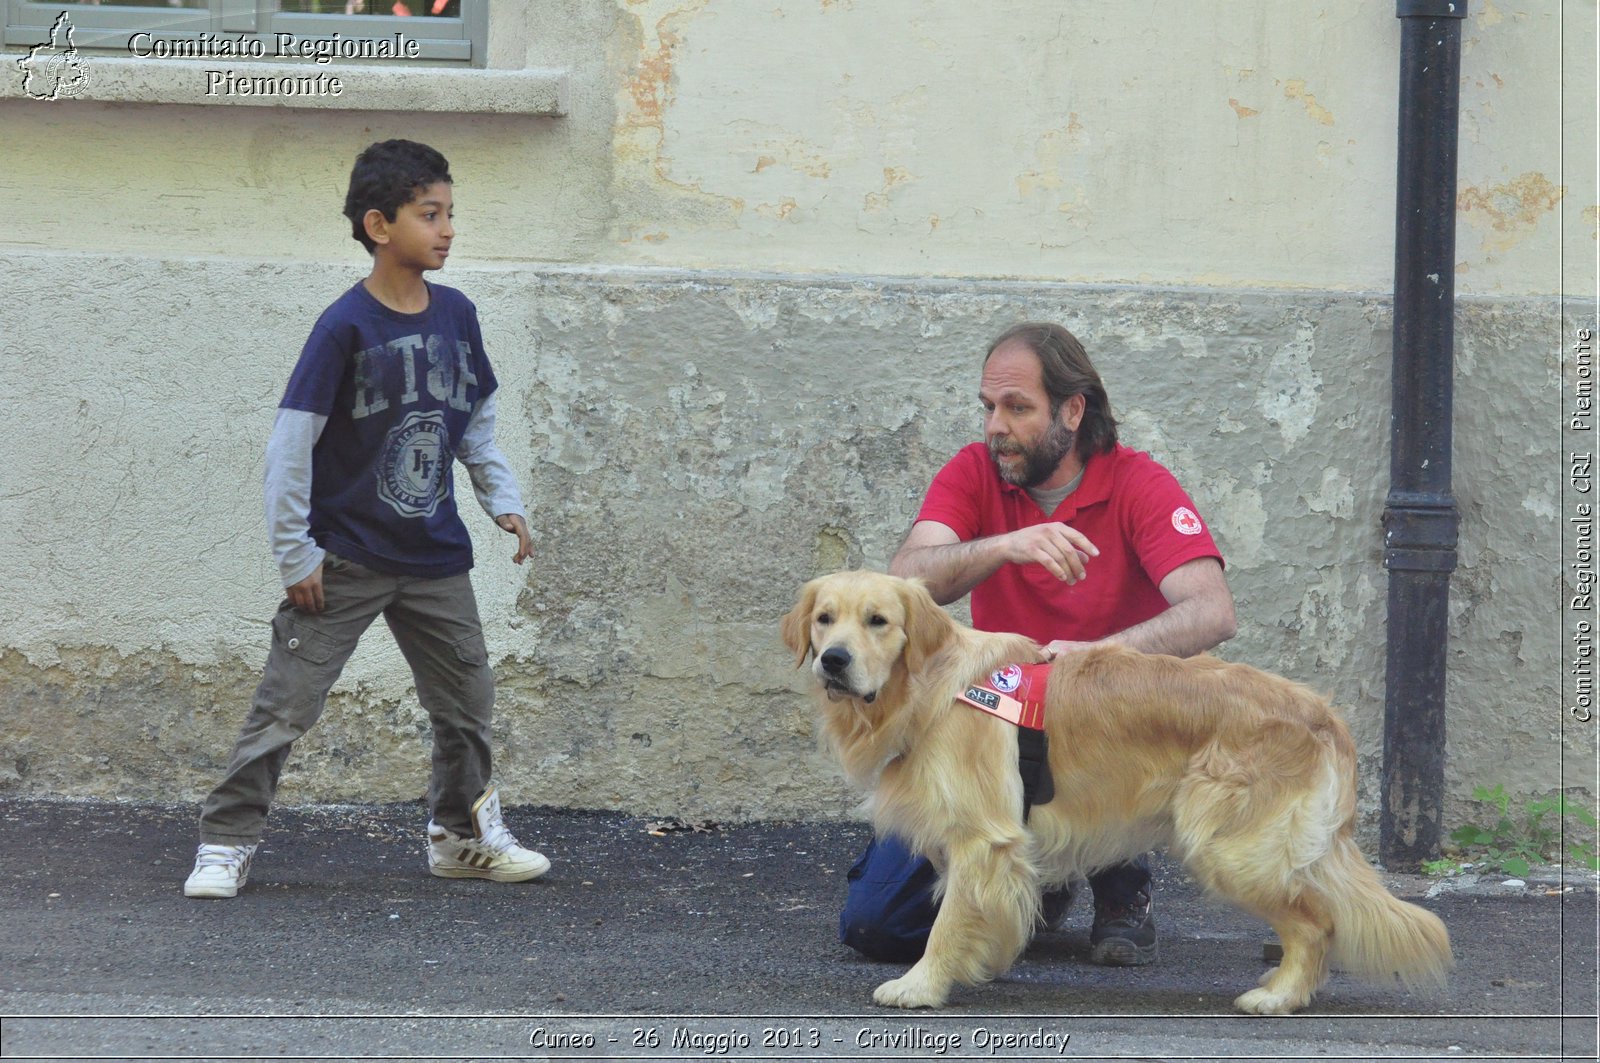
1129	505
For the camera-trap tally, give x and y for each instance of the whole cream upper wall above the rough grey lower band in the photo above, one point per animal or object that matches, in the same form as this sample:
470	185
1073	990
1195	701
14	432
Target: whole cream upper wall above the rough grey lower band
1190	142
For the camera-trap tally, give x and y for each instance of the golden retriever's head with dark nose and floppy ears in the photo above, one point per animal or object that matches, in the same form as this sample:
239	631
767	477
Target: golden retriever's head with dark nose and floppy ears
865	630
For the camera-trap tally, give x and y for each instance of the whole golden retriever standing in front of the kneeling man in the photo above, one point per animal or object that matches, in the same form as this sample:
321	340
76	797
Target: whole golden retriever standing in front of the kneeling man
1246	777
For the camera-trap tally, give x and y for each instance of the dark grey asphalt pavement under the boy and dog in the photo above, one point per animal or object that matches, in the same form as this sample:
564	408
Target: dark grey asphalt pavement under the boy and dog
668	941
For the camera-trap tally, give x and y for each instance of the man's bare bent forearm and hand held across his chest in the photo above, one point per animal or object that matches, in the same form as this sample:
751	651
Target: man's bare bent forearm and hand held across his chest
937	556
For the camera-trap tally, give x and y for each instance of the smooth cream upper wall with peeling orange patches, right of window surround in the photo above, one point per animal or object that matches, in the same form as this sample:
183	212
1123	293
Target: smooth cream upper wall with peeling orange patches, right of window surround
1210	143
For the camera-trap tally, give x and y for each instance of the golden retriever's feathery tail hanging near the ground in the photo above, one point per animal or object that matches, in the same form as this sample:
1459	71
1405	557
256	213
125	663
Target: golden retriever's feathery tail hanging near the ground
1375	934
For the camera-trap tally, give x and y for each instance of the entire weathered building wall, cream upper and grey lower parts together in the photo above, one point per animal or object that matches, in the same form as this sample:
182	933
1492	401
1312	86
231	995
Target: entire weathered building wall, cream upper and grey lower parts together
737	297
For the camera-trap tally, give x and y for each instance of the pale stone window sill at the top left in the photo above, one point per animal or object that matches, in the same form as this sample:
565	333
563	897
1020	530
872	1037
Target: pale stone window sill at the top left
306	86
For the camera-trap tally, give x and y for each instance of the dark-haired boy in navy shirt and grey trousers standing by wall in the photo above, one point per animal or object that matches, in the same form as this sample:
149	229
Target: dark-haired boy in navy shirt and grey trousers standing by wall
391	387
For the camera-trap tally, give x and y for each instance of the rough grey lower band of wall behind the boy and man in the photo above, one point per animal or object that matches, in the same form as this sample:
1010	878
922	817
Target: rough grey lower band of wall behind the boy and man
694	447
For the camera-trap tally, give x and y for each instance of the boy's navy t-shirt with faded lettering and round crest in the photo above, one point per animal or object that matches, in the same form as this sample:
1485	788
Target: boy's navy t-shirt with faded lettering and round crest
398	391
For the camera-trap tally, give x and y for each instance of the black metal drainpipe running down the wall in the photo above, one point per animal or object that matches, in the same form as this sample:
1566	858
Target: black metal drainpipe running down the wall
1420	515
